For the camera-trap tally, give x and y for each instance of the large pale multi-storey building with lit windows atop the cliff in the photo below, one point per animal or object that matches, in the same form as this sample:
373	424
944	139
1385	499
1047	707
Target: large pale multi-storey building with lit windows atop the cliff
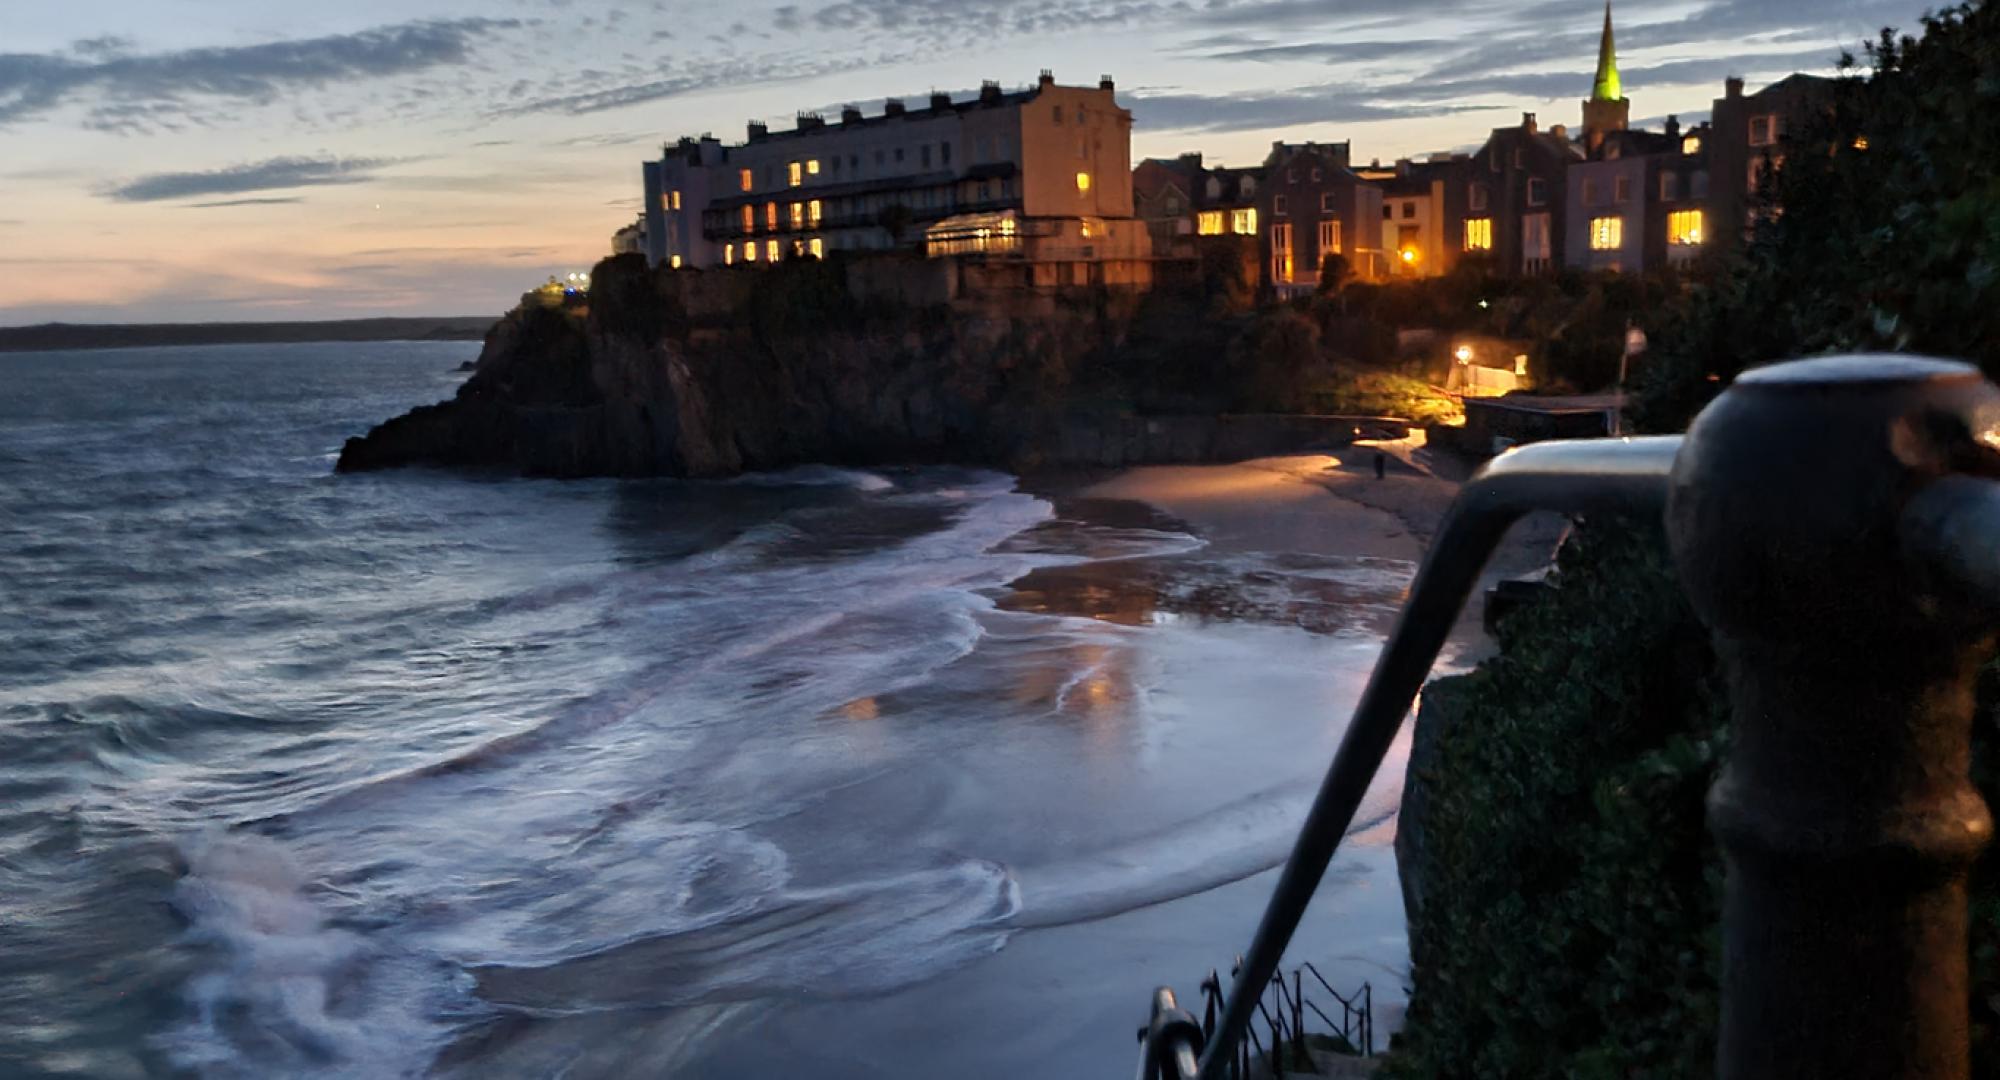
1051	159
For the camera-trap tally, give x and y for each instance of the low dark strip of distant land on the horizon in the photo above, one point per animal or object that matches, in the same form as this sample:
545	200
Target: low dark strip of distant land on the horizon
57	337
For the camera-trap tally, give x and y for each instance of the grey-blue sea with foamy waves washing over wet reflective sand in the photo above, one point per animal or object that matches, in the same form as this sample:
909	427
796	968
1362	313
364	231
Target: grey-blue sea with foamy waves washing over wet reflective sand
837	773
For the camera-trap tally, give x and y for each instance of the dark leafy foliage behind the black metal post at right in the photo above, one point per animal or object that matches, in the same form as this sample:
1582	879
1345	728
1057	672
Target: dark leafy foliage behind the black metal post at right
1573	889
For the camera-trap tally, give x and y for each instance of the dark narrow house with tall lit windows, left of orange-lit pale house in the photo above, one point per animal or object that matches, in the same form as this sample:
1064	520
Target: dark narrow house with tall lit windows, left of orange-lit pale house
1315	207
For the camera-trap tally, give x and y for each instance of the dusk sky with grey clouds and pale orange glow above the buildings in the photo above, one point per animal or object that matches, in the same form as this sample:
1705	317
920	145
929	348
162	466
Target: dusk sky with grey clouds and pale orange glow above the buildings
185	161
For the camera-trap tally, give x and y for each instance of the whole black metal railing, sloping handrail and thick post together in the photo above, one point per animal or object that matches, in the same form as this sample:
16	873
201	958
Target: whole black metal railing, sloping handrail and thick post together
1837	529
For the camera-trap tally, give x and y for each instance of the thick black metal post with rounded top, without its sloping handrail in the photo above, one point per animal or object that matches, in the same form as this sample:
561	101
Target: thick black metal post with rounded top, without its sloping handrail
1845	813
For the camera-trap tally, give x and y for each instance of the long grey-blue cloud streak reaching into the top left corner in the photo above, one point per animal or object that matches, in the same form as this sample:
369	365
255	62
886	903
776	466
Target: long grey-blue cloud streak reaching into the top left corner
161	85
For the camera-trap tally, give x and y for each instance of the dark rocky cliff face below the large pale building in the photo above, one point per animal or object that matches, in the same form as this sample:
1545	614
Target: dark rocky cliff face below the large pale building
703	375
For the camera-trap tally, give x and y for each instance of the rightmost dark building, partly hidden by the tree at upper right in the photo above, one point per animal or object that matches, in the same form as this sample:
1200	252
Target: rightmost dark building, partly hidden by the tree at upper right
1747	141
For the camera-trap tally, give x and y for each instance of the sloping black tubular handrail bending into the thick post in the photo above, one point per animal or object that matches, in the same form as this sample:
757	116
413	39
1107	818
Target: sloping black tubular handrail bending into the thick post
1629	475
